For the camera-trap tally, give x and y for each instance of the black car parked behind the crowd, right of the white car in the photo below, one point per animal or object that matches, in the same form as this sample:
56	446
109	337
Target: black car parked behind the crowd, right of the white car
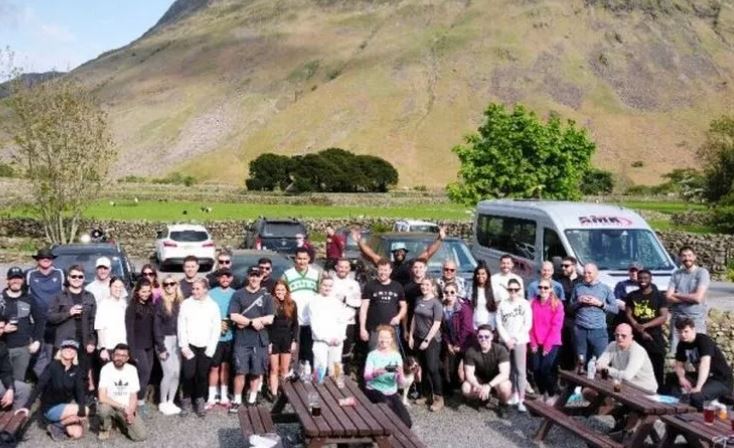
278	235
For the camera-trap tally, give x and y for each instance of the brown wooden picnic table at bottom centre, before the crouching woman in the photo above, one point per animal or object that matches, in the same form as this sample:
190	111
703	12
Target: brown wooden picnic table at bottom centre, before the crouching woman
363	423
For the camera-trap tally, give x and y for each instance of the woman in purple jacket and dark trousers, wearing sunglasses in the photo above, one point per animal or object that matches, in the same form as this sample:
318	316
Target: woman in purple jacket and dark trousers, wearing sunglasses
457	334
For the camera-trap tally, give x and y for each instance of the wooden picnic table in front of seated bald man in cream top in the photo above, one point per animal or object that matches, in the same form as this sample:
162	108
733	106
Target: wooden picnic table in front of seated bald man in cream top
643	411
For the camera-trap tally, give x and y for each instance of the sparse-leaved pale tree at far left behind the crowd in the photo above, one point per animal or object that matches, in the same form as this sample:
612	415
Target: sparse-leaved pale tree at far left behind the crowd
64	143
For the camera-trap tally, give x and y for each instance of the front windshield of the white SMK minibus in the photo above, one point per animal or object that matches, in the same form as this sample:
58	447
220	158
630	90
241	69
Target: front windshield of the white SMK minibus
615	249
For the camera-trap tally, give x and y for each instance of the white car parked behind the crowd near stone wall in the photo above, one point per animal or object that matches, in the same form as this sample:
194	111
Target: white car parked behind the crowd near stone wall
178	241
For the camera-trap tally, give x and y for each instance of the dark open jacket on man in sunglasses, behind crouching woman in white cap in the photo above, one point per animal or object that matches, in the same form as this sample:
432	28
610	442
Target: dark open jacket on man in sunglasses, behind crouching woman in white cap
58	315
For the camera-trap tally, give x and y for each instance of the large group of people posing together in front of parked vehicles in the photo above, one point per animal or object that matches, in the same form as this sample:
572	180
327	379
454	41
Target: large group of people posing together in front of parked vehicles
94	349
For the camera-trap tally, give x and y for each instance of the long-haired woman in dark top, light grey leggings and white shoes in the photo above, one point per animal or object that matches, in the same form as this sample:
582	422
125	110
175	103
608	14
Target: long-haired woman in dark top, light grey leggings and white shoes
166	339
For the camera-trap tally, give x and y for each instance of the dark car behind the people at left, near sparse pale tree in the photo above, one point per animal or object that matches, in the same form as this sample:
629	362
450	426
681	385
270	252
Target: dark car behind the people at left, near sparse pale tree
86	254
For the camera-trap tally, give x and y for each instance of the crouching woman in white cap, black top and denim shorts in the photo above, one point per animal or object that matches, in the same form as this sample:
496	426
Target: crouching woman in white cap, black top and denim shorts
62	382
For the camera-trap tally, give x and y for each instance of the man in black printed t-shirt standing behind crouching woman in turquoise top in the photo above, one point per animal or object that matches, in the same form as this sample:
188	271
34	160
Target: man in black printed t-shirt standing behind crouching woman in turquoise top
383	303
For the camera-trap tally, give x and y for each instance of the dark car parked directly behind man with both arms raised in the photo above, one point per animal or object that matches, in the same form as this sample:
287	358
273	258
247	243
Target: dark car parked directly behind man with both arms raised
452	248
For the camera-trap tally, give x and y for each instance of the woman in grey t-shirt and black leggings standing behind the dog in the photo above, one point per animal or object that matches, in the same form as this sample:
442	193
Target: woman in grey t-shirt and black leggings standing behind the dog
425	339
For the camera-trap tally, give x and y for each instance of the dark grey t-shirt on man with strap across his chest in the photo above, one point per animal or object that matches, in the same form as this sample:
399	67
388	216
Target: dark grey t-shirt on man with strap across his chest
251	305
